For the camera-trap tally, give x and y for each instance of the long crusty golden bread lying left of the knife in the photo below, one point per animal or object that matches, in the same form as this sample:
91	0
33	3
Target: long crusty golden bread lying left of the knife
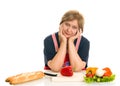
25	77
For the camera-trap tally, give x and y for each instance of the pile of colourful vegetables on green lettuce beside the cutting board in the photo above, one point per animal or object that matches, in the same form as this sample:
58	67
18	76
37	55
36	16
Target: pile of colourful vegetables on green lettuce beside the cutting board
94	74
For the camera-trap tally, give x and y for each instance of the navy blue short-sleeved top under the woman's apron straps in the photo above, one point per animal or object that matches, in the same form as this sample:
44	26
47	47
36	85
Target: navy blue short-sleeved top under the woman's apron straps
49	49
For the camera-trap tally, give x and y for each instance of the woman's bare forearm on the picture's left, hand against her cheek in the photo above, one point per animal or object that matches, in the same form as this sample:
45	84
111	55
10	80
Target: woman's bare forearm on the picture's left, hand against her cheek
57	62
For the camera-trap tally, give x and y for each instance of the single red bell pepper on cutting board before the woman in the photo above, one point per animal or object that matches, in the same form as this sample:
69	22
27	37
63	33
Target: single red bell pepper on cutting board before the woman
66	71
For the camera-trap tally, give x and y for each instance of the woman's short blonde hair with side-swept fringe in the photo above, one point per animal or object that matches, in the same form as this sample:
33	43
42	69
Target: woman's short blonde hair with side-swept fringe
72	15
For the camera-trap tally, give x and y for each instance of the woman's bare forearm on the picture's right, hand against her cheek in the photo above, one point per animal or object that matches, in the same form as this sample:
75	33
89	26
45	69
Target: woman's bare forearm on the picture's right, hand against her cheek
75	60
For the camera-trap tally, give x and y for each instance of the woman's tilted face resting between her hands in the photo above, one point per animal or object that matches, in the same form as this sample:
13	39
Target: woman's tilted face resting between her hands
69	28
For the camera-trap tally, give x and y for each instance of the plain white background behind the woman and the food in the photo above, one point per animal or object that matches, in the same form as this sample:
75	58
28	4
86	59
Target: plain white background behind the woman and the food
25	23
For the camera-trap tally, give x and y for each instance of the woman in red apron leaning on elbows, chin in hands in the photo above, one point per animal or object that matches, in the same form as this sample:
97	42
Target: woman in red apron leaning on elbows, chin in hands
67	46
